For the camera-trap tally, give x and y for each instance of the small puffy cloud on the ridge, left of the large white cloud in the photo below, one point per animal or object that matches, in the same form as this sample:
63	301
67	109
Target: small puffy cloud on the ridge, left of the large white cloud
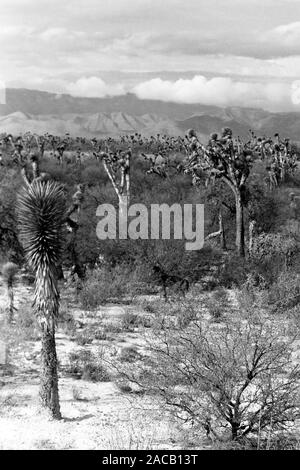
94	87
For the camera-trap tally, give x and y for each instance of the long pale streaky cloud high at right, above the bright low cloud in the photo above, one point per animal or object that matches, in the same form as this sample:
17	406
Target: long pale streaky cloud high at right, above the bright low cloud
281	41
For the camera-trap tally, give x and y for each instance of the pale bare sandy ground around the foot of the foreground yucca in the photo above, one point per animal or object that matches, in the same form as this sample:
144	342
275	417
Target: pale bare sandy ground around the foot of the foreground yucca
95	415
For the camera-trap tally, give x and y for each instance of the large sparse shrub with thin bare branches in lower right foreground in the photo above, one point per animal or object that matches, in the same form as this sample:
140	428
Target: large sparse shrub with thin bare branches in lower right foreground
235	379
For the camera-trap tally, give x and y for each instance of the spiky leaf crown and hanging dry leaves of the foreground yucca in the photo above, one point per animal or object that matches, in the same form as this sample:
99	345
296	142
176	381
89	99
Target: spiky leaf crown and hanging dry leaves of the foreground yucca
41	212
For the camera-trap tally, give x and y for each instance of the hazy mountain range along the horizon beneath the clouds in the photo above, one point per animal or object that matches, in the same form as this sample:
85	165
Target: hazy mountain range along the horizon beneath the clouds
40	112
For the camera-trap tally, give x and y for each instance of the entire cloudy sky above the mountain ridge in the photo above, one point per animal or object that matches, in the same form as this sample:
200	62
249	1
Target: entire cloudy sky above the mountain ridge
219	52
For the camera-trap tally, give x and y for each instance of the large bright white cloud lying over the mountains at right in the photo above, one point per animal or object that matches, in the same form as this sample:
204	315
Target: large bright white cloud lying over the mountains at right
219	91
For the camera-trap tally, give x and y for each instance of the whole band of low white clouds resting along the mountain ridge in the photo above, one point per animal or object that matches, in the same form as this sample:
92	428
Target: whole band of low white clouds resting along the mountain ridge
216	91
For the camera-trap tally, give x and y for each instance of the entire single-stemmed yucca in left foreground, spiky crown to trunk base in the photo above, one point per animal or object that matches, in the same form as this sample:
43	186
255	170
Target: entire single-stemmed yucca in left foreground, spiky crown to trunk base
41	215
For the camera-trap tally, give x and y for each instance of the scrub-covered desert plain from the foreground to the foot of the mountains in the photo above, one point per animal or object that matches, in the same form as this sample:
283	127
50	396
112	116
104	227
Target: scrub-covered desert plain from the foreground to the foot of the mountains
214	367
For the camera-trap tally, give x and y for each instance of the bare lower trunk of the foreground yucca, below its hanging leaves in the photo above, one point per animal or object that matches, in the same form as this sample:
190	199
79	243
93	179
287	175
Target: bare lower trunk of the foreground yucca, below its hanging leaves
49	380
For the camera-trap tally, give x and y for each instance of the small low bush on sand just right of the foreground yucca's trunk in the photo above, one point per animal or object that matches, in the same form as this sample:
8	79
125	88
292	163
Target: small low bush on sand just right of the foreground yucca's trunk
86	366
